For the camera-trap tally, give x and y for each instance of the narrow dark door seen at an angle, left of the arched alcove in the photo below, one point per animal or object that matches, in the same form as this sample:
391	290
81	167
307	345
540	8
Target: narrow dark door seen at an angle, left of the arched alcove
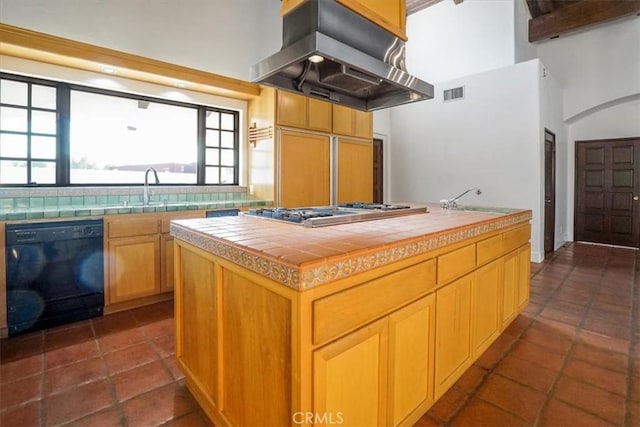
549	191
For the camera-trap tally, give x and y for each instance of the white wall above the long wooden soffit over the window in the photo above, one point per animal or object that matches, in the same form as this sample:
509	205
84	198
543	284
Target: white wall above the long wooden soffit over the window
219	36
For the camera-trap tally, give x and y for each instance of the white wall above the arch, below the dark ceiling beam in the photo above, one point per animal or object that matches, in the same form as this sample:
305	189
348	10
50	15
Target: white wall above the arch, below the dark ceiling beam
595	66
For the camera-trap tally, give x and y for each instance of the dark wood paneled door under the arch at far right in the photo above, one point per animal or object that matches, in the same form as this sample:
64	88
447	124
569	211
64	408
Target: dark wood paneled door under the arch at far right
608	191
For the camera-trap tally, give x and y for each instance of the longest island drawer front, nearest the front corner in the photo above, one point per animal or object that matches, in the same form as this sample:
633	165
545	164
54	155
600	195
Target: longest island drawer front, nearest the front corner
347	310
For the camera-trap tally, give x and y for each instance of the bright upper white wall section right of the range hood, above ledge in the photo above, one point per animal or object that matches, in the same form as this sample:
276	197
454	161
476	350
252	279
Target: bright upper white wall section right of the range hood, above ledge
447	41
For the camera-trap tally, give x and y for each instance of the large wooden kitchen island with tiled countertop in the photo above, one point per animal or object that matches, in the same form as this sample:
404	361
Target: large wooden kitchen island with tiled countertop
364	324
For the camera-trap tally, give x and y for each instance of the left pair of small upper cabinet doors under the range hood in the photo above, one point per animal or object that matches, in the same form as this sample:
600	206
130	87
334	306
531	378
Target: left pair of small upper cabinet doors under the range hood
302	112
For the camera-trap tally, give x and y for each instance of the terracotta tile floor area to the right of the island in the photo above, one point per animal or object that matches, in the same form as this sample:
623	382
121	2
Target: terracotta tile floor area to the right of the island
571	359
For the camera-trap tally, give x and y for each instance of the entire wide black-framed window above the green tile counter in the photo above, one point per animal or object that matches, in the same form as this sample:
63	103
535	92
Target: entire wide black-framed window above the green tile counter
107	137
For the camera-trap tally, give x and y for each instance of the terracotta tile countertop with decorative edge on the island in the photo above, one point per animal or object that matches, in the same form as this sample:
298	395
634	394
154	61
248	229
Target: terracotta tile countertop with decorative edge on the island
302	257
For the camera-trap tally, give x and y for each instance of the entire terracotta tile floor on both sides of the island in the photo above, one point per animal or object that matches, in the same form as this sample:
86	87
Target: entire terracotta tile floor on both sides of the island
571	359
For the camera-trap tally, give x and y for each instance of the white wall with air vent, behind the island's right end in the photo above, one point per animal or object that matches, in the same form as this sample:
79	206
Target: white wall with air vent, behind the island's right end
491	139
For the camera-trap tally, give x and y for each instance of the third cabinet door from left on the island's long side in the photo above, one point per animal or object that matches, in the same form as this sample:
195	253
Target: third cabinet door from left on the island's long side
453	333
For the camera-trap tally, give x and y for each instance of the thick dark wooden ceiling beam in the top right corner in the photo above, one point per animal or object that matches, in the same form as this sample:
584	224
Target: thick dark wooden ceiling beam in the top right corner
579	14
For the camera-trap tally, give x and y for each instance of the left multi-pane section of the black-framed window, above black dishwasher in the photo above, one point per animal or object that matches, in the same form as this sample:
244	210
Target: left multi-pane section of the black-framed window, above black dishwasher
28	132
